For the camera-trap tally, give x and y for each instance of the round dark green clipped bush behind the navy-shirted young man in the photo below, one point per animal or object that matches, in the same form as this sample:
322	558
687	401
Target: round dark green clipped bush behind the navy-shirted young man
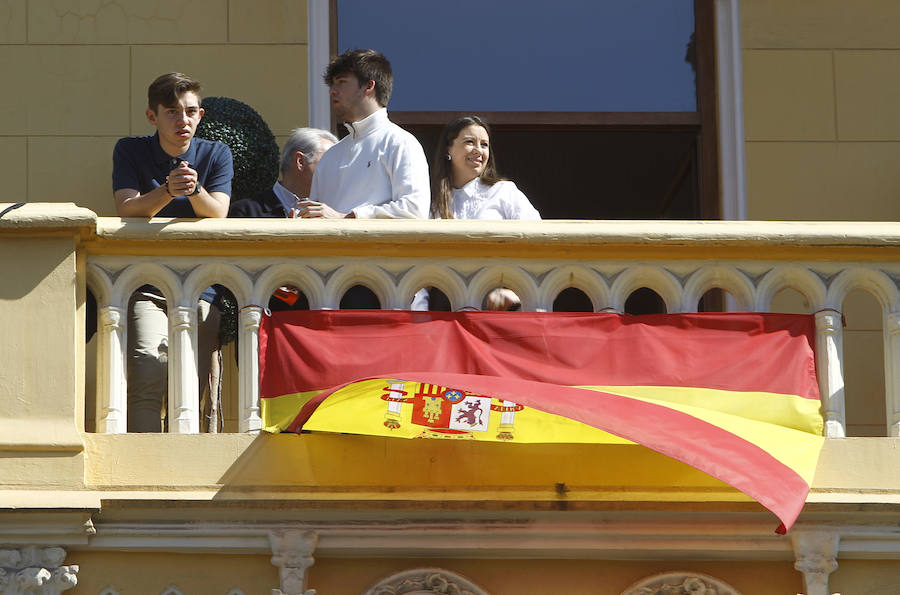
252	143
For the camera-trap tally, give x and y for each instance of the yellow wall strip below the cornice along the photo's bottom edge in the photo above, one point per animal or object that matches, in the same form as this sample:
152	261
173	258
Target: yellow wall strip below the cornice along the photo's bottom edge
139	573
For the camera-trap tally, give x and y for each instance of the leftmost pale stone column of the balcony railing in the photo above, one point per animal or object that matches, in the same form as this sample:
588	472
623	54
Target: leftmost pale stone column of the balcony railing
112	397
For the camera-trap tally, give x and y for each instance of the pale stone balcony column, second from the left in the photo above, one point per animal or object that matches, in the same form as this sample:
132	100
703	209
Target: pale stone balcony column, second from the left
184	400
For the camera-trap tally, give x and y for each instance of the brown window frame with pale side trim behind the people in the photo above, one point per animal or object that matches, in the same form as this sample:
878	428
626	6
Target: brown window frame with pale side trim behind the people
718	119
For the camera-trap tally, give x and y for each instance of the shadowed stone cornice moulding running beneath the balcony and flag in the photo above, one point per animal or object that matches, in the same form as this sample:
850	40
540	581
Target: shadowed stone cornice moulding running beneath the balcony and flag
722	537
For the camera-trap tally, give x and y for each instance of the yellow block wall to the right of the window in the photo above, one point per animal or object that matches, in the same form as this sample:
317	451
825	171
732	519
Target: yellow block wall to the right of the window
821	115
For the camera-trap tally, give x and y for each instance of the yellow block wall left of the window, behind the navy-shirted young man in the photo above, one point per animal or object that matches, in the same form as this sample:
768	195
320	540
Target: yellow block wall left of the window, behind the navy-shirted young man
81	69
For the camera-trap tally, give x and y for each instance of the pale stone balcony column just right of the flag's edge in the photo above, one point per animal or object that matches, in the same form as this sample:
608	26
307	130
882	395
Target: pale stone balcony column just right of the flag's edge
830	369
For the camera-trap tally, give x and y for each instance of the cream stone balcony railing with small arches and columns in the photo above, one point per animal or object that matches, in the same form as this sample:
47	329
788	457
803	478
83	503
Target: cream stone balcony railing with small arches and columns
608	261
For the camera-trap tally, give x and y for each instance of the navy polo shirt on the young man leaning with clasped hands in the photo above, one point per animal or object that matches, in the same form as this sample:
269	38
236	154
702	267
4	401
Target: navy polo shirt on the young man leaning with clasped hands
140	163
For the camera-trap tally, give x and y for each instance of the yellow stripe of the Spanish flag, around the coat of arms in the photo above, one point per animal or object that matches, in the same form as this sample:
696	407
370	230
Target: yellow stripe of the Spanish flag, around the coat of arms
359	409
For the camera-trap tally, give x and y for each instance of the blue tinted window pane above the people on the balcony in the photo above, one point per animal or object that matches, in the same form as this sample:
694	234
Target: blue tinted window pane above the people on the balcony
514	55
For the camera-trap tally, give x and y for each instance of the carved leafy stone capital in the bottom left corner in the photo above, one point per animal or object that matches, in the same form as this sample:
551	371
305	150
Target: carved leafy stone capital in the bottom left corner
35	570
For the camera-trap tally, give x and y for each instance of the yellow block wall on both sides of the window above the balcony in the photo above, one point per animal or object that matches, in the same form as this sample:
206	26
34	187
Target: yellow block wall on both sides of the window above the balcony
820	92
